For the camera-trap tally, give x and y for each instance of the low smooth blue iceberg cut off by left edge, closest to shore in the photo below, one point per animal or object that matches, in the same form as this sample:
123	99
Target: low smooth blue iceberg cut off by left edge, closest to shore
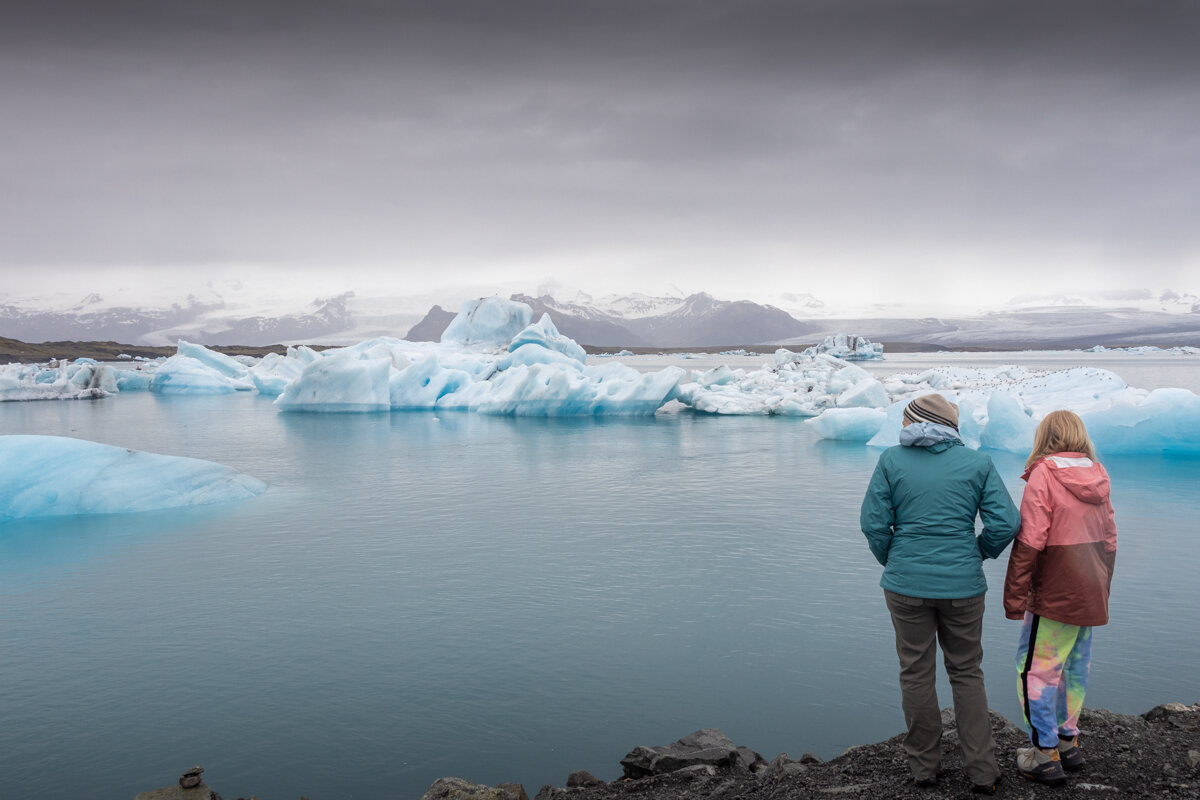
59	477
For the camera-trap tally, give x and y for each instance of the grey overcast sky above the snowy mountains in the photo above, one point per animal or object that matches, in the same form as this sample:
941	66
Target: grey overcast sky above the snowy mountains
959	151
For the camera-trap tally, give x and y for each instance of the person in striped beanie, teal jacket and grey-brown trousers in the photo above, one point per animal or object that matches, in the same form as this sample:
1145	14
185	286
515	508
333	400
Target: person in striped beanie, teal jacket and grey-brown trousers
920	521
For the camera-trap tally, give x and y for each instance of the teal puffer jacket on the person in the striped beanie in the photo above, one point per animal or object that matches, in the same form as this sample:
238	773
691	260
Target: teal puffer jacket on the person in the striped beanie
920	516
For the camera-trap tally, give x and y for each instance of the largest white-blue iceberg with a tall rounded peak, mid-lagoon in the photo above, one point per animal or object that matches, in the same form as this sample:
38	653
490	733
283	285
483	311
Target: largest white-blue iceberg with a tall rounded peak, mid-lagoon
493	360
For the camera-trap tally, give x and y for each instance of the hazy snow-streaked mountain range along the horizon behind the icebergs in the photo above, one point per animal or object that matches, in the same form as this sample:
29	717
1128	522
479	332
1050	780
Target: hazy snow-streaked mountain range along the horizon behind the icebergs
697	321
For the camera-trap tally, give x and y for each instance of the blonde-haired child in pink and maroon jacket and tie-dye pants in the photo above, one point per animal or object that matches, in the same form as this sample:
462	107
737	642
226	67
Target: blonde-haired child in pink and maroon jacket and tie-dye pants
1059	576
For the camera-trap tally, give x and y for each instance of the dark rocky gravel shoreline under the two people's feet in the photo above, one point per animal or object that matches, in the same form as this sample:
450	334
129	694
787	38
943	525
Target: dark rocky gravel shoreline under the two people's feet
1155	755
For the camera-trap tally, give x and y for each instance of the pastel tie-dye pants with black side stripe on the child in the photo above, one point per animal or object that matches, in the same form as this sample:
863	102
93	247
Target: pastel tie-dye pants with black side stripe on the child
1053	661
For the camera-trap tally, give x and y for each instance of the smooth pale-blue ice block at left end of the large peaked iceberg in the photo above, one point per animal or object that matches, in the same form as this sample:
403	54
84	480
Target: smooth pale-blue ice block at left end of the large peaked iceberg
340	383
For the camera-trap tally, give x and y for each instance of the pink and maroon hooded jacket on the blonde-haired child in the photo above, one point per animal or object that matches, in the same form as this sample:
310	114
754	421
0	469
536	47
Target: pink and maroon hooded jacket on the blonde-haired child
1061	564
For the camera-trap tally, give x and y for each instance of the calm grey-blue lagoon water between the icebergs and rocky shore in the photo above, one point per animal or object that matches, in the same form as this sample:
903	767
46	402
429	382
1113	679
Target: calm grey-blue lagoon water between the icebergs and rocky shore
422	596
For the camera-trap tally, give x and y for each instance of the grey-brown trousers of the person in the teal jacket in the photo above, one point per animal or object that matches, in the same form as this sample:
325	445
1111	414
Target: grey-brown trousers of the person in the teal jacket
957	625
